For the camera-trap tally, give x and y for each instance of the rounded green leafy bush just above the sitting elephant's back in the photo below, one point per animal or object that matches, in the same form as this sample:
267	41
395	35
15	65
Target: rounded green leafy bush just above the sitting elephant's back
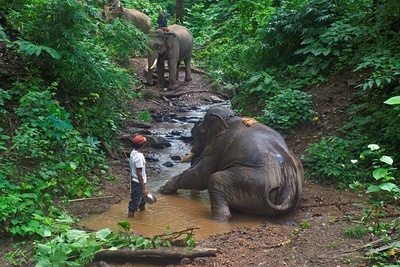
286	109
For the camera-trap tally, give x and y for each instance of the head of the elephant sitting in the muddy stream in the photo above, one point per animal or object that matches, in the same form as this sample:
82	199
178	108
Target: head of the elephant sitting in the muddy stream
204	131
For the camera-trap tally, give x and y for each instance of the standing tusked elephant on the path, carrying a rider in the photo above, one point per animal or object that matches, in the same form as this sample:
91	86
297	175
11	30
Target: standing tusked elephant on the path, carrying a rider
173	46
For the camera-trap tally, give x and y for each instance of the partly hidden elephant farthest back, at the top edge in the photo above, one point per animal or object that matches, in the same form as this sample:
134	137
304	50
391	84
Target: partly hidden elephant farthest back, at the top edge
139	19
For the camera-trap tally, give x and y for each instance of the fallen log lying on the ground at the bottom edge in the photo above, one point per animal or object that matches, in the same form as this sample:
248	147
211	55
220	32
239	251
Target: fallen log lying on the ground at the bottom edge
171	253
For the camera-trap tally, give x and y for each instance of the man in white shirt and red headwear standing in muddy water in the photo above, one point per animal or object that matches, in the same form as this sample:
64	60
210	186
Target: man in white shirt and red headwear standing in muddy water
138	178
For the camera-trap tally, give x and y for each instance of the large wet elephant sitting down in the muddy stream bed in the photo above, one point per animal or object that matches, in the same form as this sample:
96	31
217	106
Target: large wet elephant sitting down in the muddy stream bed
247	168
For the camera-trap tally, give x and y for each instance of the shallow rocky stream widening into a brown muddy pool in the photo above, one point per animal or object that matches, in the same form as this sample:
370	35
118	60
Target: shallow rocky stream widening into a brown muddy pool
187	209
